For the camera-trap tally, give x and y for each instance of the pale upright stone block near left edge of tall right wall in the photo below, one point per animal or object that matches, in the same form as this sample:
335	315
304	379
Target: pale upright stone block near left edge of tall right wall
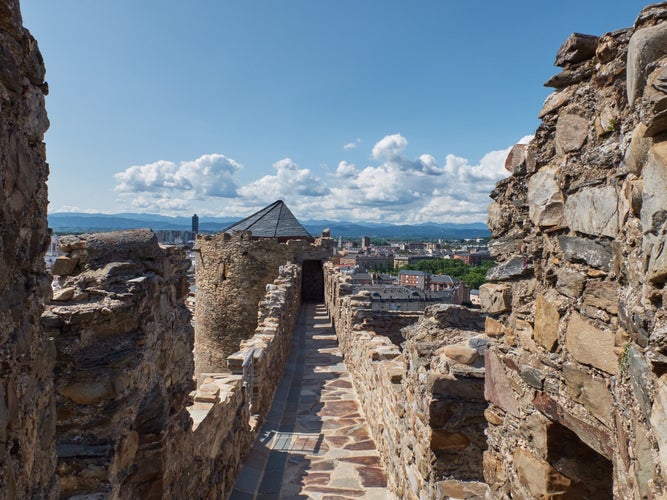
545	199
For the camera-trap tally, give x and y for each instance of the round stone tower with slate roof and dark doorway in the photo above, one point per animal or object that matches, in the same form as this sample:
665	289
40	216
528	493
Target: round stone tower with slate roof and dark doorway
232	270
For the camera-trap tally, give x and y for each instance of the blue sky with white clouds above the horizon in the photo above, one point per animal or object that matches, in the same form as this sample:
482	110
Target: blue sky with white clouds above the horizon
358	110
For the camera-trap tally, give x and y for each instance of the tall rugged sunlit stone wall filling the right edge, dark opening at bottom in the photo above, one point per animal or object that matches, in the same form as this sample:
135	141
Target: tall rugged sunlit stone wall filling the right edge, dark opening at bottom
577	381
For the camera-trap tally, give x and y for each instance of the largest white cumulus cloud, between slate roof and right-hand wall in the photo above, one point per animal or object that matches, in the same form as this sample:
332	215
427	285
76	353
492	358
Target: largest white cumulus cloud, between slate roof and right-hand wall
403	190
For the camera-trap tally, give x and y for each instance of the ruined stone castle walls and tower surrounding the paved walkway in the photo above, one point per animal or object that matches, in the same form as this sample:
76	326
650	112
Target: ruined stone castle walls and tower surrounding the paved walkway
557	388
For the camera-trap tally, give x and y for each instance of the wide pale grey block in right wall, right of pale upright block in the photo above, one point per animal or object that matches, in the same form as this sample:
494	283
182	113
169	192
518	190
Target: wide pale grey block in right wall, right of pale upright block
596	211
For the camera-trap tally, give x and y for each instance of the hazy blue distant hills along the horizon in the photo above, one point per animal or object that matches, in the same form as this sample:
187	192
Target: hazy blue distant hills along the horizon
73	222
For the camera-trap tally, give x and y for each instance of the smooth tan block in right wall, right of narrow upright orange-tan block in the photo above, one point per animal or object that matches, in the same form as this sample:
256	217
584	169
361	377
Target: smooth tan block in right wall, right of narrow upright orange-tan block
590	345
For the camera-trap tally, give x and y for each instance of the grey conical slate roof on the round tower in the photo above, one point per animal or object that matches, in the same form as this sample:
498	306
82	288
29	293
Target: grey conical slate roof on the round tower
274	221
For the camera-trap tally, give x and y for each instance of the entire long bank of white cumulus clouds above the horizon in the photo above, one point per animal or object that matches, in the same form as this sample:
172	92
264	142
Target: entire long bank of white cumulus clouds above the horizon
393	187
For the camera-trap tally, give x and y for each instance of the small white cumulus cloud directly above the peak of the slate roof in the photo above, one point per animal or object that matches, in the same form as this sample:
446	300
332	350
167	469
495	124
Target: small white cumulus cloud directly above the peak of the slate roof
289	182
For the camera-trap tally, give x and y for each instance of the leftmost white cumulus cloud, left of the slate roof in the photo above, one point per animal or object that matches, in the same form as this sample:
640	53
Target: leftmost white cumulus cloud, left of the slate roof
209	175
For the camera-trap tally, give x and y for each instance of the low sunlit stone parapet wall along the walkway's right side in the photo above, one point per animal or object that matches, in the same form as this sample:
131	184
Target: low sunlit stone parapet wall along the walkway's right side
429	428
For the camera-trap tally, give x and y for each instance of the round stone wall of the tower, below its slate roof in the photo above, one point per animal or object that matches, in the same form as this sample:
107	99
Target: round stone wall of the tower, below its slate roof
231	273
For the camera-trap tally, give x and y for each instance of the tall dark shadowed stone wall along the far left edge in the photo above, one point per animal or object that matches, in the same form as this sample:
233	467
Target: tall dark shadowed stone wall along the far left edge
27	410
